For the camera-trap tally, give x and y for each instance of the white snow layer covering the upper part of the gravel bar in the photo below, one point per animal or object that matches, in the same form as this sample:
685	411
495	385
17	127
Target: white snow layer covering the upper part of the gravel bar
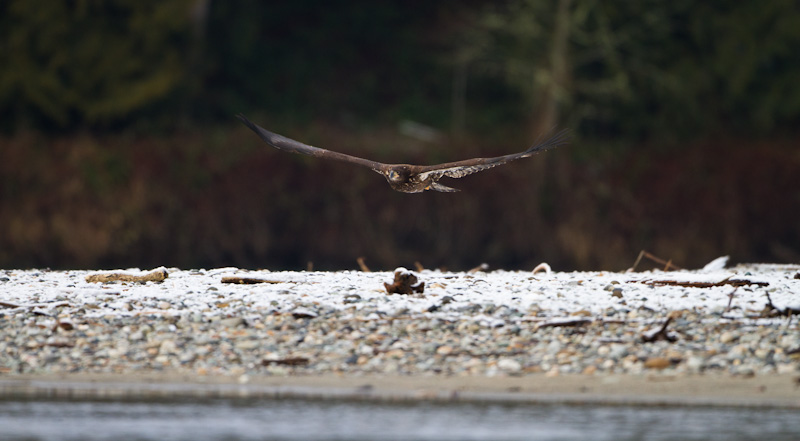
202	292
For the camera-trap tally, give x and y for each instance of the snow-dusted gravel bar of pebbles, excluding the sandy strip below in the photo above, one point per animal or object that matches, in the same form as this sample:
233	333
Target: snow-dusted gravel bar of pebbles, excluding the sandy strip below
739	320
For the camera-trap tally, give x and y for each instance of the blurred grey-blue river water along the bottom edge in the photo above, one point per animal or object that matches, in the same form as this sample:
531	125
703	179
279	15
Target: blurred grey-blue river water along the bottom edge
298	419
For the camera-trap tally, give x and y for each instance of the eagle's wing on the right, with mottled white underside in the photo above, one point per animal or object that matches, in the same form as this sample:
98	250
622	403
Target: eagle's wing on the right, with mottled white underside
460	169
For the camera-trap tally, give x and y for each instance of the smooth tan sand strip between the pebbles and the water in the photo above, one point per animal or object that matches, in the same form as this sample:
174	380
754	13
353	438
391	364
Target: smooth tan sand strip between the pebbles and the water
778	391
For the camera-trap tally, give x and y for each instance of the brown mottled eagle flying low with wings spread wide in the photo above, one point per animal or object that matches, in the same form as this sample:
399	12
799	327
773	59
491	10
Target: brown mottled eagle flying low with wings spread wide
405	177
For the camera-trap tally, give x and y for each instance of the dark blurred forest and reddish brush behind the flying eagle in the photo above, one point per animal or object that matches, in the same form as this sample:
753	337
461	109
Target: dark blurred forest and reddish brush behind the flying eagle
119	147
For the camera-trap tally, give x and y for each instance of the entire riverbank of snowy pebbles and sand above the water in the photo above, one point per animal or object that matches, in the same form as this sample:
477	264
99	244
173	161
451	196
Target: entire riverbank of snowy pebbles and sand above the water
713	337
